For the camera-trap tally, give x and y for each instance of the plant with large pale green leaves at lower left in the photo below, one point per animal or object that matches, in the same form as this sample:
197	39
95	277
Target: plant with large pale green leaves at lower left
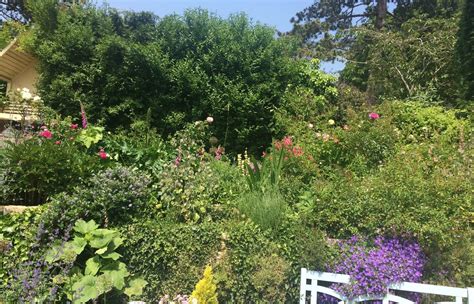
98	271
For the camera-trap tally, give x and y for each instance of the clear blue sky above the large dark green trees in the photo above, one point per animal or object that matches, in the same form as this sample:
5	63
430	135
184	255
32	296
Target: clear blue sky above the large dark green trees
276	13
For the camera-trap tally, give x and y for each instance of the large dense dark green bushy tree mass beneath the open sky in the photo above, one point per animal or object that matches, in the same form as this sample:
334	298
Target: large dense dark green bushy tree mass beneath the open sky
181	68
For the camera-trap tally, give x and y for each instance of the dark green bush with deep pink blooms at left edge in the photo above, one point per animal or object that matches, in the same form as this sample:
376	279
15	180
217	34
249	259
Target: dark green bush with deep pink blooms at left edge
37	168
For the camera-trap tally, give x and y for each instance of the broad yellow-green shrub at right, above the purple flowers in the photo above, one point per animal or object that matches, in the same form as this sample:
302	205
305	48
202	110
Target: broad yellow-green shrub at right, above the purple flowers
422	191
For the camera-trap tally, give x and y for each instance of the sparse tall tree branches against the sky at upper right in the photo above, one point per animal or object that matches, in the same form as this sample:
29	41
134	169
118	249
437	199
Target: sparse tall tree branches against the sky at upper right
325	25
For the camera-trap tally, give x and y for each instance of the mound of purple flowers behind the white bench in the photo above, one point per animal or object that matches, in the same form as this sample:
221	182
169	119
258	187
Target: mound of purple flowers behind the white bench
372	267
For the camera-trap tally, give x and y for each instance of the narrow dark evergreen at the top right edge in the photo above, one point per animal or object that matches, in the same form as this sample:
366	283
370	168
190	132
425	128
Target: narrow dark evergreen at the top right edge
465	48
